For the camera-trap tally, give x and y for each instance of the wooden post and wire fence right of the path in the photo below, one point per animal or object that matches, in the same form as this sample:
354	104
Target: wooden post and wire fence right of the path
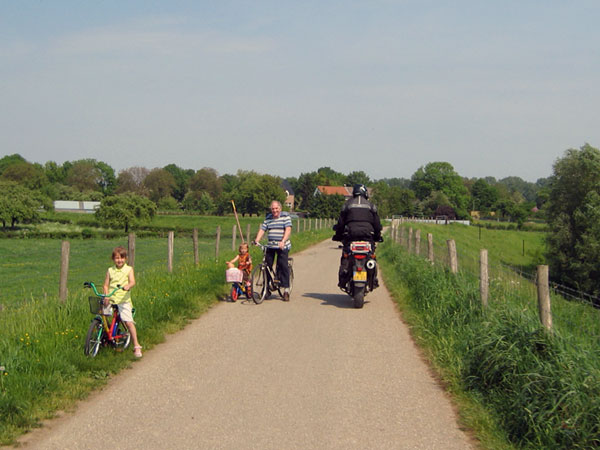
571	308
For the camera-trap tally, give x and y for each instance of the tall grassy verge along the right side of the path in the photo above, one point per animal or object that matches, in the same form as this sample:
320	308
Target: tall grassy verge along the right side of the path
516	385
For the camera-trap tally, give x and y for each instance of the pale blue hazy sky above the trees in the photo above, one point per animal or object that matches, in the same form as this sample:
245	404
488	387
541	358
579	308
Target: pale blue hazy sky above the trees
494	88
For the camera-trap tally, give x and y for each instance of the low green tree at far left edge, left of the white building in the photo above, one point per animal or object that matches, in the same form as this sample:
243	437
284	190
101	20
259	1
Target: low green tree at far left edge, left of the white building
19	204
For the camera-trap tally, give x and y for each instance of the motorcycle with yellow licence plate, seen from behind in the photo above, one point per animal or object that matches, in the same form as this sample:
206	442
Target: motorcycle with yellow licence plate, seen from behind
363	267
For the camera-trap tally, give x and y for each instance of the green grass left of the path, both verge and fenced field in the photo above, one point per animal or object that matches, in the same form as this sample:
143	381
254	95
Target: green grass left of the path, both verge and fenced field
43	368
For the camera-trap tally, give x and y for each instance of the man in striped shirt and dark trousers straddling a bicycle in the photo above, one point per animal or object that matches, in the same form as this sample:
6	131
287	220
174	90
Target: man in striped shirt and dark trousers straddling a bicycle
278	226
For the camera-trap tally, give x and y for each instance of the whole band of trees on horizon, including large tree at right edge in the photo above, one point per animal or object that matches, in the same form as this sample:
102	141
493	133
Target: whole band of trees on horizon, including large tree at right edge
568	200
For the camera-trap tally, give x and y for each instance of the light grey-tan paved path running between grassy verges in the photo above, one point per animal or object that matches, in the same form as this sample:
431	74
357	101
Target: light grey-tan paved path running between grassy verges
313	373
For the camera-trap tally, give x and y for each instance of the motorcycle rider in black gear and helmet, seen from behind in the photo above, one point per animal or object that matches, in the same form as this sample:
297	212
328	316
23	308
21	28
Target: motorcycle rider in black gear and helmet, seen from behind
358	221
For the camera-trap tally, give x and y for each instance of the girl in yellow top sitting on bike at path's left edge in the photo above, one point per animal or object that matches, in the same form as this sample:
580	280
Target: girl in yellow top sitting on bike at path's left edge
122	274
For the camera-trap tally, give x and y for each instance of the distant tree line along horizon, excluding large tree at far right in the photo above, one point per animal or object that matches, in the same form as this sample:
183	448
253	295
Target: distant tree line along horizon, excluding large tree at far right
434	189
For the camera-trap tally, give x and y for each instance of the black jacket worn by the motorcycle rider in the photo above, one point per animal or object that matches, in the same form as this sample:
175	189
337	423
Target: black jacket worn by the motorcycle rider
358	221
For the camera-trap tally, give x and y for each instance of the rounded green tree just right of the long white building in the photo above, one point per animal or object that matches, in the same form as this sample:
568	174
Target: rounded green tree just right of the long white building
125	211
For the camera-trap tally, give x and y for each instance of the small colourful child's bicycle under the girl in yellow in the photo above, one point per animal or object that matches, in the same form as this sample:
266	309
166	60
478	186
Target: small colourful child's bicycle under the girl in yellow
105	329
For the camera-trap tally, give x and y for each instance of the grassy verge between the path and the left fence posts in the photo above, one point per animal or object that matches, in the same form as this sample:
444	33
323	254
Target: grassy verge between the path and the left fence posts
43	368
